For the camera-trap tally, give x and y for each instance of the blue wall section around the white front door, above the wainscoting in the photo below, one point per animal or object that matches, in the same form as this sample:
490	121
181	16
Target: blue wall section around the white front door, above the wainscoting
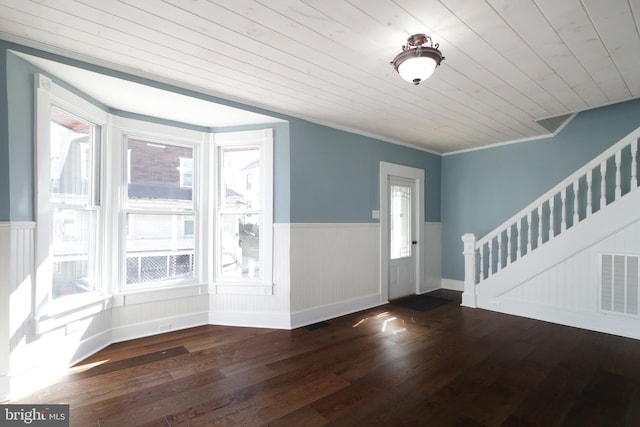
335	174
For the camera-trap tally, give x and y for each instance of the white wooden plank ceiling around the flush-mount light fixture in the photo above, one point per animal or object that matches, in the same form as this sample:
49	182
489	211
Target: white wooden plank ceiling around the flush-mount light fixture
508	62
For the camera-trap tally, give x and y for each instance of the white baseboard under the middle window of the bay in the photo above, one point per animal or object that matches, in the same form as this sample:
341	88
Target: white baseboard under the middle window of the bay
159	326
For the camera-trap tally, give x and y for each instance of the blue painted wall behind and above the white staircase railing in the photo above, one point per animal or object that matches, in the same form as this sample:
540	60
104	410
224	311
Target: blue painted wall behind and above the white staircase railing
481	189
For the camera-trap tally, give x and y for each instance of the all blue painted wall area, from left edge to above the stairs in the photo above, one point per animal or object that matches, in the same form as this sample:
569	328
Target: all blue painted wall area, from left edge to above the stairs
328	175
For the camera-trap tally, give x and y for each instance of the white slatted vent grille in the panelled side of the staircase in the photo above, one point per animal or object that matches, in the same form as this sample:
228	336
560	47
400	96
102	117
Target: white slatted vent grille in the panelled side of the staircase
619	284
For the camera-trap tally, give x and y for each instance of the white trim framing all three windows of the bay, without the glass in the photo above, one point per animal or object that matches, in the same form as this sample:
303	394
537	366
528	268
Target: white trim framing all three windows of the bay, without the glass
110	289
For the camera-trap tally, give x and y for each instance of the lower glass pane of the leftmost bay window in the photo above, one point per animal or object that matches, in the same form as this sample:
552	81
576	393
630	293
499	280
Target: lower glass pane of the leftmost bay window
73	252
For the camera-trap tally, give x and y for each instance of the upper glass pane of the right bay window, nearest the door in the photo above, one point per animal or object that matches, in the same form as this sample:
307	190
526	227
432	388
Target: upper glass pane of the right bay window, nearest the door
240	178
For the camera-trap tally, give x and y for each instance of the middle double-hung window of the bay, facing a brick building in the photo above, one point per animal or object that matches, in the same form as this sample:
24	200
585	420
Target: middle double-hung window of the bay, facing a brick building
159	212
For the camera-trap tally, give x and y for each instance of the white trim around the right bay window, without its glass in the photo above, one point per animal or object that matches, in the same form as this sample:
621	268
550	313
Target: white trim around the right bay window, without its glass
264	286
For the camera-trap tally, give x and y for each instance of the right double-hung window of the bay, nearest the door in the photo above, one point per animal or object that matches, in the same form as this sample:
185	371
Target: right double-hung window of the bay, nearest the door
244	208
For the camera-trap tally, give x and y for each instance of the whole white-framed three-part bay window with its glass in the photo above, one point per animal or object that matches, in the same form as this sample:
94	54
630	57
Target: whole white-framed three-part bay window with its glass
151	207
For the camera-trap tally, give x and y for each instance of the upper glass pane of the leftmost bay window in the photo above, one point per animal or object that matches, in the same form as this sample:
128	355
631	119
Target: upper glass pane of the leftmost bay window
70	158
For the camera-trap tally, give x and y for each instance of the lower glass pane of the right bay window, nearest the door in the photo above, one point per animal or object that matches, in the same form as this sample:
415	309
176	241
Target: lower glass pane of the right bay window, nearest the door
240	249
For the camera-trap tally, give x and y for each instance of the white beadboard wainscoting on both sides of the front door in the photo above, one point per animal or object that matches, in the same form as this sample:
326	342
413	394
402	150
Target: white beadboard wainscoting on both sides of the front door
335	268
